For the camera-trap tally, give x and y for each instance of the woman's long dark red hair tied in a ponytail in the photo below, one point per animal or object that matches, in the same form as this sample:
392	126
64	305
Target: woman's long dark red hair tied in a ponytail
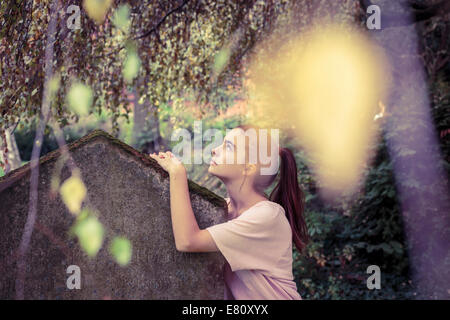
286	193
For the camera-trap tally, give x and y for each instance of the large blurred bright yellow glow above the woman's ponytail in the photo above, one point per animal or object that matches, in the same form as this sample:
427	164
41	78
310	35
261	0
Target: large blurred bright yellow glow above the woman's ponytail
326	84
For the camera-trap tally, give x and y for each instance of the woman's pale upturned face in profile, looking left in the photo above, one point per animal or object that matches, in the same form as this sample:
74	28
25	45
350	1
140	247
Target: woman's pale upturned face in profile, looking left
228	159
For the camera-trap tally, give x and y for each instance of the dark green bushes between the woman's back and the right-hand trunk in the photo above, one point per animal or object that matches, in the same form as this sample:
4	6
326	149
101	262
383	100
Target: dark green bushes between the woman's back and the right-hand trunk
345	242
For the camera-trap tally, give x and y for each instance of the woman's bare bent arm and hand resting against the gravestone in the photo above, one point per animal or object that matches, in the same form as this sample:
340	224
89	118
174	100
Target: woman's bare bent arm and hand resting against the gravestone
187	234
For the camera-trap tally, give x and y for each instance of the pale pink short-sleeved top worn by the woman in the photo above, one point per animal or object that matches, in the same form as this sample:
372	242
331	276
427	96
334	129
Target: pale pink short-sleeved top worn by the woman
257	246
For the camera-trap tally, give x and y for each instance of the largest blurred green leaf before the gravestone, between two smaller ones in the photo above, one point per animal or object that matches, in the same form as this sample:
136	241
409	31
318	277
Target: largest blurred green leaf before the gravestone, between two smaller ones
89	232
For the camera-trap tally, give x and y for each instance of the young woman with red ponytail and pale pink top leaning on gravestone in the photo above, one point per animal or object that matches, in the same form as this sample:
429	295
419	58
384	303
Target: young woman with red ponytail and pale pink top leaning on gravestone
256	241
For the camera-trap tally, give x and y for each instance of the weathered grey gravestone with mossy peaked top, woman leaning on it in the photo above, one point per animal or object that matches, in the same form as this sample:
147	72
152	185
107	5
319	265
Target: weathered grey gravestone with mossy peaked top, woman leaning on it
130	193
